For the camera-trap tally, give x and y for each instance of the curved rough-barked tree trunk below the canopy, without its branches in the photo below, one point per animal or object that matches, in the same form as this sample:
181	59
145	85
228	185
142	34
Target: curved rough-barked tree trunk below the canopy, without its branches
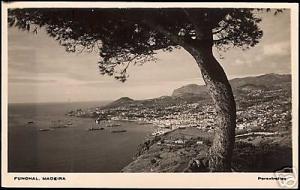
218	86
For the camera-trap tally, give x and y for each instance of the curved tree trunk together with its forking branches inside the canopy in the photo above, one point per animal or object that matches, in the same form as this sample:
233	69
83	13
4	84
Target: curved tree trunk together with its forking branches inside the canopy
219	89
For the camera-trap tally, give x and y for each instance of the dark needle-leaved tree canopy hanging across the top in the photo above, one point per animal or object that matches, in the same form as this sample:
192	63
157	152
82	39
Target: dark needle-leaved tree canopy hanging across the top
132	35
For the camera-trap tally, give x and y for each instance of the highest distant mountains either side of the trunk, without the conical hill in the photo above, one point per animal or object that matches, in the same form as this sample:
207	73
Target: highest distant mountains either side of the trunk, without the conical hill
263	82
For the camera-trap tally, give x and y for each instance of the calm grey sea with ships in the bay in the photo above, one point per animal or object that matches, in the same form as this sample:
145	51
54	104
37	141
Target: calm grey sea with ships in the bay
31	148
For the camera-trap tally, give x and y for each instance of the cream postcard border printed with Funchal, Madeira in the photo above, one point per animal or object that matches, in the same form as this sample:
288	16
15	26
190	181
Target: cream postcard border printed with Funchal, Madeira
149	180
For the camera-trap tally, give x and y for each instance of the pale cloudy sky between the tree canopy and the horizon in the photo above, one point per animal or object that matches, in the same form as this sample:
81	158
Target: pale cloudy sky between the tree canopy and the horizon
39	70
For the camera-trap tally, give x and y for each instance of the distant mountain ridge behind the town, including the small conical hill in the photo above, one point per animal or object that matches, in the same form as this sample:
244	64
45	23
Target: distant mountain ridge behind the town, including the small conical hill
194	93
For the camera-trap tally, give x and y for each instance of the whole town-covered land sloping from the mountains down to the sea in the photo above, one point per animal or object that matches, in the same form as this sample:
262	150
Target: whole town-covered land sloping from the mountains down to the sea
186	121
